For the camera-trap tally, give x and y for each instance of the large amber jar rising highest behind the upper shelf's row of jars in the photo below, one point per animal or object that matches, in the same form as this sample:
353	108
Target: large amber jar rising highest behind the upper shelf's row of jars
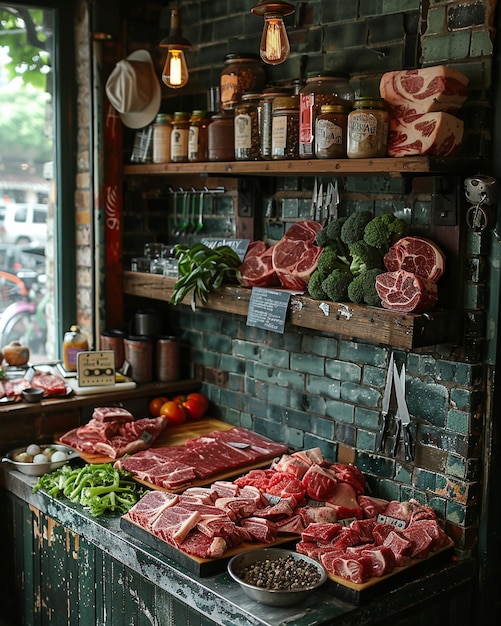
242	72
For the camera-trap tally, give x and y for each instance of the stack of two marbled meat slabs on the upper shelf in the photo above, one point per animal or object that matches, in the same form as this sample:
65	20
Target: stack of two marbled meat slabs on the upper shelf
423	103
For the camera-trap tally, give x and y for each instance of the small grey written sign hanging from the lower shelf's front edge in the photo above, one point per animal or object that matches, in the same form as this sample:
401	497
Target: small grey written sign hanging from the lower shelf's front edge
268	309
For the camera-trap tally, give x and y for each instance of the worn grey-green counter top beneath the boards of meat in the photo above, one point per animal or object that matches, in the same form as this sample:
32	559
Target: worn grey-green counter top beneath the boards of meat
218	597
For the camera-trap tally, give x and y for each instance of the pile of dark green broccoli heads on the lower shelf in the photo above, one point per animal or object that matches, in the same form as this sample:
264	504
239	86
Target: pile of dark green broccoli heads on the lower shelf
354	249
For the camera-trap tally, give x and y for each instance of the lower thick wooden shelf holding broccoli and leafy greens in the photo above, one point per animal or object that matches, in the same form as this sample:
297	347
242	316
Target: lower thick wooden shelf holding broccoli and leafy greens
399	330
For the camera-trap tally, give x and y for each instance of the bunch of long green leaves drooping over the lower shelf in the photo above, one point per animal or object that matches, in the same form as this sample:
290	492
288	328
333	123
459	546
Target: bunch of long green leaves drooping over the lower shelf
202	270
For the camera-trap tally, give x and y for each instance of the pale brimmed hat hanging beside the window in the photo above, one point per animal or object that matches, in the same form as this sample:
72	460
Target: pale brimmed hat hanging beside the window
134	90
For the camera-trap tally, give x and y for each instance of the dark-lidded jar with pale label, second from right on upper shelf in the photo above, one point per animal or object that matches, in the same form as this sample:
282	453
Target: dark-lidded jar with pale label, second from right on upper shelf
330	132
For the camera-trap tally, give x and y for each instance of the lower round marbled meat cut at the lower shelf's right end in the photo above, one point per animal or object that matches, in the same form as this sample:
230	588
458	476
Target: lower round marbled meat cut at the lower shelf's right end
406	292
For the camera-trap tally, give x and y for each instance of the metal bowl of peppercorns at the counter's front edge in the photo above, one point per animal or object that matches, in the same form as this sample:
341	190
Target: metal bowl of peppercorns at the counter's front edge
275	576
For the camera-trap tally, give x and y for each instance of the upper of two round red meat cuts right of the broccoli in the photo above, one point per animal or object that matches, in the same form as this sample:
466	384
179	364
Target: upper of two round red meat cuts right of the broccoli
416	255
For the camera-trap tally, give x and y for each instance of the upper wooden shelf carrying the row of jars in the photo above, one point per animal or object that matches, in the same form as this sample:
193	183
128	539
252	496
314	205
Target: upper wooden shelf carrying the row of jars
315	167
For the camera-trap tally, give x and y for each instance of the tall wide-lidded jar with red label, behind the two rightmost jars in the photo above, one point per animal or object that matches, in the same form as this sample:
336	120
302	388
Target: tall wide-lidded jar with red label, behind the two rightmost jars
319	89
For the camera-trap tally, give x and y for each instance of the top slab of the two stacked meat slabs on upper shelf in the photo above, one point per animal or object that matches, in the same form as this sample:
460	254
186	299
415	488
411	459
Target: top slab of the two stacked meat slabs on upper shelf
437	88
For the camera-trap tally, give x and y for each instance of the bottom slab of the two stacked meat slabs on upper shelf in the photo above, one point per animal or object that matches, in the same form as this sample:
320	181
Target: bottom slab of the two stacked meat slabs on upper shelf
437	134
